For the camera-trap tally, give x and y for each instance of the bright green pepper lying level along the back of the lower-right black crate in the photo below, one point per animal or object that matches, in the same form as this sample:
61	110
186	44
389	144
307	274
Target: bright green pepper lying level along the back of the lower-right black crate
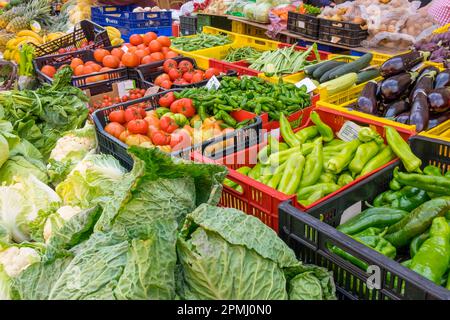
434	184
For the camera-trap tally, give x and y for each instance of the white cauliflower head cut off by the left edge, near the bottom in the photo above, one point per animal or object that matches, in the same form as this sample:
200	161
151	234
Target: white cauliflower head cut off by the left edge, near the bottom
16	259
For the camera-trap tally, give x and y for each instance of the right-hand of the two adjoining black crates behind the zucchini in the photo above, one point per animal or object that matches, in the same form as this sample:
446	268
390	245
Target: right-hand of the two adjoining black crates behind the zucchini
345	33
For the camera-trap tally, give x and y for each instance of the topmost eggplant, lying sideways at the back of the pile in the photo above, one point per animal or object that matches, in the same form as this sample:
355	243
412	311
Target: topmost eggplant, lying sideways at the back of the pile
402	63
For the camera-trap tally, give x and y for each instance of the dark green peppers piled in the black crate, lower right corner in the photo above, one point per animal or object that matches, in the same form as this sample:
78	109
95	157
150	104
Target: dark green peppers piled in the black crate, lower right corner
410	222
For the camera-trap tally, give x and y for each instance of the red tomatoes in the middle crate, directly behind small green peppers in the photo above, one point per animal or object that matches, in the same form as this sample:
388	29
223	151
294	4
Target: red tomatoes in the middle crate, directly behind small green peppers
182	73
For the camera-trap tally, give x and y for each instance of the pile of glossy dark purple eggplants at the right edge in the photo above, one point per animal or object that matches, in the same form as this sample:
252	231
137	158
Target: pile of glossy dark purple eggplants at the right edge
416	98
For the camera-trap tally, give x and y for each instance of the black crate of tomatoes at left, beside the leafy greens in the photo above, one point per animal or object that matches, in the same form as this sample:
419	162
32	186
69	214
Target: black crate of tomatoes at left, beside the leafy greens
82	82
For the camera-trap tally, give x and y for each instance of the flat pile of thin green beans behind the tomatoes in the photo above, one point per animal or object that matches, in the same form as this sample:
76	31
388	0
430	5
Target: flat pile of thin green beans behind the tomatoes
200	41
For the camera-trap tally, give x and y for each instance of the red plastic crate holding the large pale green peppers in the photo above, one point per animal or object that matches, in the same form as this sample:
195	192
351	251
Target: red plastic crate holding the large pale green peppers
262	201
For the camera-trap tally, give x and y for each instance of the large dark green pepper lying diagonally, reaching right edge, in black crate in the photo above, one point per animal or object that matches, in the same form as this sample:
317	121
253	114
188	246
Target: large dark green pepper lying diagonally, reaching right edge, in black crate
417	221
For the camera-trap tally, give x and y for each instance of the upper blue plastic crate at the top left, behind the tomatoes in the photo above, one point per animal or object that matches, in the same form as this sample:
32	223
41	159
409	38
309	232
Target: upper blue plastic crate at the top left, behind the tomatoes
122	16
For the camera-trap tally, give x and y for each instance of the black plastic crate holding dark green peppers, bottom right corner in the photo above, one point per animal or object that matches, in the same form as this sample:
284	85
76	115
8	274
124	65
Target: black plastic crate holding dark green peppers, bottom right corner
308	234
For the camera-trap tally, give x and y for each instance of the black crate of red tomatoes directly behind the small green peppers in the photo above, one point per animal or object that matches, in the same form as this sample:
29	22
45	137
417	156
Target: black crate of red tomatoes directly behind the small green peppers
152	70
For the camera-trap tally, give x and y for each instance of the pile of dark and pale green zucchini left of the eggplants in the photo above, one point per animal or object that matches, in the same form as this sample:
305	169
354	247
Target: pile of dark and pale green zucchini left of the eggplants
337	76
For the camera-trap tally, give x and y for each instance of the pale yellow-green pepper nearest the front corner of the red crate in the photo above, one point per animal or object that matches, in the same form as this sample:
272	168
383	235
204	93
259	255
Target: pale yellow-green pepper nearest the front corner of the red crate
292	174
